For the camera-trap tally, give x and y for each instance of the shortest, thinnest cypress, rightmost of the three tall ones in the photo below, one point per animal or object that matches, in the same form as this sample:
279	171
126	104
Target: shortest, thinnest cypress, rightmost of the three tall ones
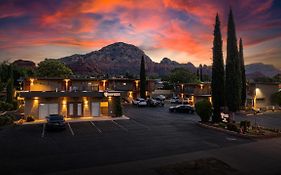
243	76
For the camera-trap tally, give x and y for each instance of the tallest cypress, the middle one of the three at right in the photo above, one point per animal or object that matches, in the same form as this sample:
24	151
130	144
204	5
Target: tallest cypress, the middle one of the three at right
233	73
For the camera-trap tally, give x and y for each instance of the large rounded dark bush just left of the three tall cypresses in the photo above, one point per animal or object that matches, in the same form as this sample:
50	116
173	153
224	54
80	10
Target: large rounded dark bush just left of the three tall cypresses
204	110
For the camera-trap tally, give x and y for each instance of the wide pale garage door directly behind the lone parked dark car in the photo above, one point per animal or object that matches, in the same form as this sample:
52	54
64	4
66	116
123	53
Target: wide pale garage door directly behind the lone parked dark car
47	109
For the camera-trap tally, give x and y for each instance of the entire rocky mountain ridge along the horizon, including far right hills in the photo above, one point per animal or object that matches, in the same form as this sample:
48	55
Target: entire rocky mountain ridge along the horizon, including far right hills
124	59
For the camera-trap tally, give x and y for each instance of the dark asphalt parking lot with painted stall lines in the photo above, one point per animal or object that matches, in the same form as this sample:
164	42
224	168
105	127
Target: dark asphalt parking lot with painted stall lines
149	133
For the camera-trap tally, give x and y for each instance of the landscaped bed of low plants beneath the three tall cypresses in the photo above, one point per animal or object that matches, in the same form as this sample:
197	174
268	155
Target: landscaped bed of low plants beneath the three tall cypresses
243	129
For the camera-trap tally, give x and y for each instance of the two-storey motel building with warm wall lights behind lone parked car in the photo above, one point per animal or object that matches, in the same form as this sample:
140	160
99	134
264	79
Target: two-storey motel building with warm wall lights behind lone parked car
72	98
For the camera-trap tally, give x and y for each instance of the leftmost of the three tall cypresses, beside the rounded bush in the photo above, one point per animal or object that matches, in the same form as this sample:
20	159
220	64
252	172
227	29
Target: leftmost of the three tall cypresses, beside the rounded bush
217	73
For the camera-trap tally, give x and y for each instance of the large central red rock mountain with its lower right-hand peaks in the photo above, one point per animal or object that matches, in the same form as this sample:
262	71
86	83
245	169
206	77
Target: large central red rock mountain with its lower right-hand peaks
119	59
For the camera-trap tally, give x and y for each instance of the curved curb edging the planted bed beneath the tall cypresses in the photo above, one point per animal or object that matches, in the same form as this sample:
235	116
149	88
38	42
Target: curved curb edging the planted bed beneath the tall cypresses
238	134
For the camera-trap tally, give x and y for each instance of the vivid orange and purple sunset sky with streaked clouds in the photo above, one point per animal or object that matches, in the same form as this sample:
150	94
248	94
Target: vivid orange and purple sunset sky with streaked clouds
181	30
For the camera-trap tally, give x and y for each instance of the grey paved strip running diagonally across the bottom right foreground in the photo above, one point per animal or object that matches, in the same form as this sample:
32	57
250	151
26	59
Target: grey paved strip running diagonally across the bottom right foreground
261	157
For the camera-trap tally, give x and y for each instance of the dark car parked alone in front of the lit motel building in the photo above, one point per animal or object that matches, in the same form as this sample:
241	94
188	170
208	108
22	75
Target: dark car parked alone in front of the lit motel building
55	122
